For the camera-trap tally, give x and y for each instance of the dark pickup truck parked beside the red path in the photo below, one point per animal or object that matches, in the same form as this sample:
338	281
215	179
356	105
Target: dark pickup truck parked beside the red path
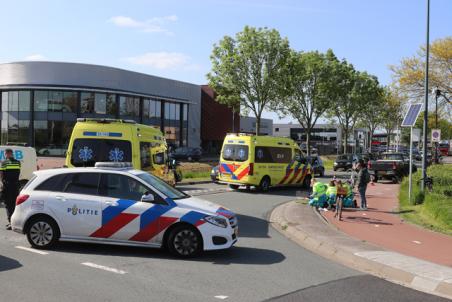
390	165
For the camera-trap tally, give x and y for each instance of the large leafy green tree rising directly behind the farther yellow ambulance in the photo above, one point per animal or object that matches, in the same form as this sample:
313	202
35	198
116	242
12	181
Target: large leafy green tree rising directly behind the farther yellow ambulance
250	69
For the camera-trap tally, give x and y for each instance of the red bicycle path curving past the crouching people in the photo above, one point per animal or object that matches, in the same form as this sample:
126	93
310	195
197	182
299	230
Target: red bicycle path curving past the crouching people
382	225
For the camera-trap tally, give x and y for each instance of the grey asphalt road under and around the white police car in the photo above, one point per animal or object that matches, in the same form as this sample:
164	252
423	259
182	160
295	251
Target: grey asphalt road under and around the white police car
263	265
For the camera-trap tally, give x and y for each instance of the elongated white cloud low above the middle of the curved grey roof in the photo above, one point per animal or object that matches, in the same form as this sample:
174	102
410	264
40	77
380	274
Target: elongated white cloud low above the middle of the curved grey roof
161	60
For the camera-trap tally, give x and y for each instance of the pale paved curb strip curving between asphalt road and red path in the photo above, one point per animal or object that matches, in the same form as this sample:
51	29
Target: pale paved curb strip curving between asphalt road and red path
404	270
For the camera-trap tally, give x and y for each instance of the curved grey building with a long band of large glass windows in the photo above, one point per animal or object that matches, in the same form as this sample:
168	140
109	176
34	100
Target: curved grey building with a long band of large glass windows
40	102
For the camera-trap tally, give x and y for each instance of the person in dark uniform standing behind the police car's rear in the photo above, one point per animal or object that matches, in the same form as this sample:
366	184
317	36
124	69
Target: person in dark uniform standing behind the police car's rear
10	170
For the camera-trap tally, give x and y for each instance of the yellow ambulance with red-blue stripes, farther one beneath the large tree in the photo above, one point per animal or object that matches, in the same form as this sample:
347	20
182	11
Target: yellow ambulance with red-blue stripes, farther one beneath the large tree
262	161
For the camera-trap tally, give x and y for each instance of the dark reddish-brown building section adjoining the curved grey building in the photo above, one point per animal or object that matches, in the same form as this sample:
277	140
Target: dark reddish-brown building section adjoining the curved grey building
216	120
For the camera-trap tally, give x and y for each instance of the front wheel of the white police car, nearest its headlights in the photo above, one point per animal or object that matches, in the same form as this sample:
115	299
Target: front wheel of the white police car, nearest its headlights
185	241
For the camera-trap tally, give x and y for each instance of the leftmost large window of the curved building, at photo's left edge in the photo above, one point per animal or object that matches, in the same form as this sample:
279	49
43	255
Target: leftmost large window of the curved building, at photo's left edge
16	116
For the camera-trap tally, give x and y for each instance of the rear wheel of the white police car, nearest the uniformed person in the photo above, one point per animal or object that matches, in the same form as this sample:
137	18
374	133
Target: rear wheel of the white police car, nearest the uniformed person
42	232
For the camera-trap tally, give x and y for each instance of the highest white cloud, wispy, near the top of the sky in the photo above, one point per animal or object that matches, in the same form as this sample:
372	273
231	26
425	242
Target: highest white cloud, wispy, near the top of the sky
154	25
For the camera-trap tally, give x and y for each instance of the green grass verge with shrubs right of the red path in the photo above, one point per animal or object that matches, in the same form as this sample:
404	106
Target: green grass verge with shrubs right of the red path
434	210
